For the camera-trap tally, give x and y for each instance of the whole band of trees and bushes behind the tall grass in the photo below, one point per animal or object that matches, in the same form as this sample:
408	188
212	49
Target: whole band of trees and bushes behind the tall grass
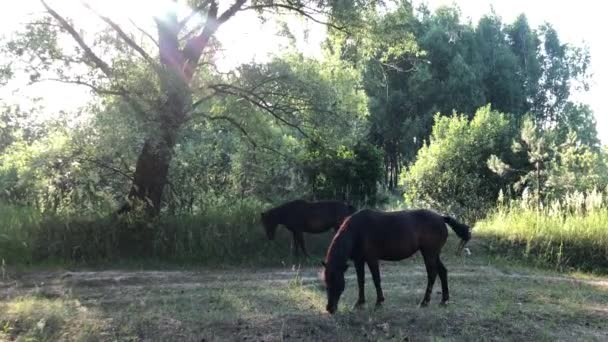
166	130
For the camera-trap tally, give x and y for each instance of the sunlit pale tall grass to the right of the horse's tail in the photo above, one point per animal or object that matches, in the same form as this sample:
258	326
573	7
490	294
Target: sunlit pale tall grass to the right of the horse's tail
567	233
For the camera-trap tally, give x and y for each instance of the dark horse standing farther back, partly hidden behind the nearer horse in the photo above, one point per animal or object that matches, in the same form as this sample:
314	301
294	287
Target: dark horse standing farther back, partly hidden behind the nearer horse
301	216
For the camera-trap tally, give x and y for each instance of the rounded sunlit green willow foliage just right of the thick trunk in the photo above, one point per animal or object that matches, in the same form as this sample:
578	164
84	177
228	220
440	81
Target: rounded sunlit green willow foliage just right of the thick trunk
237	149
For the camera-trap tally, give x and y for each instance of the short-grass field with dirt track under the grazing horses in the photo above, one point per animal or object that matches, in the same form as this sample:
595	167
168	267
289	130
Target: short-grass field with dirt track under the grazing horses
491	299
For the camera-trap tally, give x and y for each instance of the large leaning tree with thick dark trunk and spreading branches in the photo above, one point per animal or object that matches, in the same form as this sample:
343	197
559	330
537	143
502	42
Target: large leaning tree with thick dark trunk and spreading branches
155	75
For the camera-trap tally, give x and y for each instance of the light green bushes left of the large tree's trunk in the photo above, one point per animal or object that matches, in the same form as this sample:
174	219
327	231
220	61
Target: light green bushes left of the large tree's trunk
67	168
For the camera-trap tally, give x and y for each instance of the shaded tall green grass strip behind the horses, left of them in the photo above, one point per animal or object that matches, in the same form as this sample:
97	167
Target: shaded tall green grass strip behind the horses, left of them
227	232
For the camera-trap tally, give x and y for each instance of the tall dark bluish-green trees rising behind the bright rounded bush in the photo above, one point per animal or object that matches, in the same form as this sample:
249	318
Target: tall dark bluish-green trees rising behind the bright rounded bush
441	63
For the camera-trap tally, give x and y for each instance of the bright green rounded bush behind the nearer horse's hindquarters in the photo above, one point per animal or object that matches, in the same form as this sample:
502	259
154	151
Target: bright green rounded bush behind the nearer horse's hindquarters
449	173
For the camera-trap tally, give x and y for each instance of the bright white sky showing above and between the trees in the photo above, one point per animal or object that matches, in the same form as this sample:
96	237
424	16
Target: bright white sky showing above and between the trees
578	23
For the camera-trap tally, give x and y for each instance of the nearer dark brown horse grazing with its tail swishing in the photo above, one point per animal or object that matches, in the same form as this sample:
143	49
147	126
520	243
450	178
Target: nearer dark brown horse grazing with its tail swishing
369	236
